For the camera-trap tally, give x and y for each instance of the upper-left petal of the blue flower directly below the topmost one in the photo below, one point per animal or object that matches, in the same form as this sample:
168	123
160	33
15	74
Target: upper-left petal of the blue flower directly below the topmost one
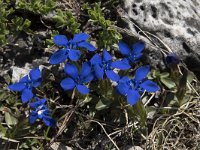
71	70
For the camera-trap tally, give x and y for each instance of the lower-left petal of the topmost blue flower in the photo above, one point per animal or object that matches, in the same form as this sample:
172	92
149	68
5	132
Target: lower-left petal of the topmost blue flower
58	57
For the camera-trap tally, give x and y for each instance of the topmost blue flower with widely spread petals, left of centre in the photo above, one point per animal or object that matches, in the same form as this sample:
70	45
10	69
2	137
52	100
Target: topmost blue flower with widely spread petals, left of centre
69	49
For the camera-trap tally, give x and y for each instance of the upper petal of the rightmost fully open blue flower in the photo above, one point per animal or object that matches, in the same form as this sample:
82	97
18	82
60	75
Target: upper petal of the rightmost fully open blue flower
141	73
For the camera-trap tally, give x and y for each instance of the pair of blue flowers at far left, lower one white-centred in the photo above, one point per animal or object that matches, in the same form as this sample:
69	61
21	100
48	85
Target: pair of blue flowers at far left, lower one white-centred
25	86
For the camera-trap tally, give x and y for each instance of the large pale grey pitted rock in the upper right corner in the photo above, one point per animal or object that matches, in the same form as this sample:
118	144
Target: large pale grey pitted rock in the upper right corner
177	23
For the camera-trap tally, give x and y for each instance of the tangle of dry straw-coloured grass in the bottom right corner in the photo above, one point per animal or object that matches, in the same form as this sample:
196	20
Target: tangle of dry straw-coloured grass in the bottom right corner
179	131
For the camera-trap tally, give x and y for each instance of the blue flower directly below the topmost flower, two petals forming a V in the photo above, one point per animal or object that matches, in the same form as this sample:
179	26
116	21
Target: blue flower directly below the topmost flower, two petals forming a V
77	80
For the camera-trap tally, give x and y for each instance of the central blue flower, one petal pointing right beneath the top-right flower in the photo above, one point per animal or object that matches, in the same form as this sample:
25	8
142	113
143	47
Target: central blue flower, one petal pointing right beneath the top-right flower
105	65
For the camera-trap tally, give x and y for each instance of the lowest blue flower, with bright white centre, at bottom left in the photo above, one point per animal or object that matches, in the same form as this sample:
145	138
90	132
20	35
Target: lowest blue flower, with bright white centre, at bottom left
40	110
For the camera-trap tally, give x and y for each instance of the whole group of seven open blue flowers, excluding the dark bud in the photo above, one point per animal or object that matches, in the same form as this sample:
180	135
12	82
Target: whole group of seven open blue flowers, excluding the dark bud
97	67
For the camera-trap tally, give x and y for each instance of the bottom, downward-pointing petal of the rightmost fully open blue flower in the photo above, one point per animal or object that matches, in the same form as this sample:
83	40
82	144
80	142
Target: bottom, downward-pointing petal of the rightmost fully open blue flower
132	97
